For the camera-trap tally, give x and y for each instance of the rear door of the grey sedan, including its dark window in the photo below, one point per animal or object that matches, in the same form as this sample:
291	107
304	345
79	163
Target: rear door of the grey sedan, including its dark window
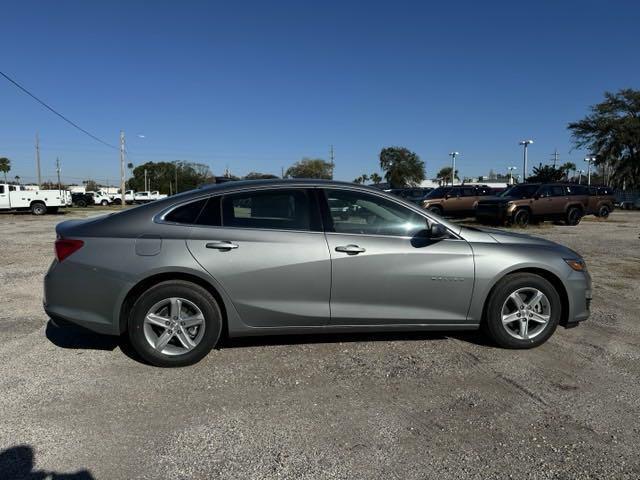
267	250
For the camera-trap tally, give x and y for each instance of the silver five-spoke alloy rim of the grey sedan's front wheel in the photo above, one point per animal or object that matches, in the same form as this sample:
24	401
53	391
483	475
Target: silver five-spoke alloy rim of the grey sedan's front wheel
526	313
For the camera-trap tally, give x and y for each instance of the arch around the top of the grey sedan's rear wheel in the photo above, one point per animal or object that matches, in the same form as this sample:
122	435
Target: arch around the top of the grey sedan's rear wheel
148	282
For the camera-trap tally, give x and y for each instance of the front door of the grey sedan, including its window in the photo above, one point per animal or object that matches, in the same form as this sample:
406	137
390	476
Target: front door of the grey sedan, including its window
383	274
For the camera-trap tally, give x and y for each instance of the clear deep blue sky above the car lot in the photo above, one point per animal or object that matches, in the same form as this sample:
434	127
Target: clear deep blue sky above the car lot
259	85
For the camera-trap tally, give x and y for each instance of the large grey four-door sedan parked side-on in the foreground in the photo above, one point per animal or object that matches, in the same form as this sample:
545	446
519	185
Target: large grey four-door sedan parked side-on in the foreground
292	257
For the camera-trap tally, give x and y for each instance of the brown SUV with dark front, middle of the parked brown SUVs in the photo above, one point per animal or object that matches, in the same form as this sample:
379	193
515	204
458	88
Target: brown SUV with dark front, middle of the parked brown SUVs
524	203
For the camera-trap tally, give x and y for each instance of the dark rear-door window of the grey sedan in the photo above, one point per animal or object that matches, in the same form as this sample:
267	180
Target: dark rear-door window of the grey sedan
271	209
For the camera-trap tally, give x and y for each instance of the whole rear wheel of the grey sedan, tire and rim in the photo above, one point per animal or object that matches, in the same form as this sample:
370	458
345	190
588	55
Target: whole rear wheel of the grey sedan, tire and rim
174	324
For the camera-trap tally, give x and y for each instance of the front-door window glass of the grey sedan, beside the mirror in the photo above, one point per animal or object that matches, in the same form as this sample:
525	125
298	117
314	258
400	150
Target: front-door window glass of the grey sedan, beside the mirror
362	213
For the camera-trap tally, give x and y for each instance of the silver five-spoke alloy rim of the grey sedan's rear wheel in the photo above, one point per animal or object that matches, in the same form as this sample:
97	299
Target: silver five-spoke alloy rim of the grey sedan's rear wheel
174	326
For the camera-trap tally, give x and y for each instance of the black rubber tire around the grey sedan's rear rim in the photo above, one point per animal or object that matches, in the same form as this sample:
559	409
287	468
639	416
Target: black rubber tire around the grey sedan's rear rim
186	290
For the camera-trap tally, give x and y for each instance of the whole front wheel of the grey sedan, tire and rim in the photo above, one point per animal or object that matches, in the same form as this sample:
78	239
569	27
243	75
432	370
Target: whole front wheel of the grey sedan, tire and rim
523	311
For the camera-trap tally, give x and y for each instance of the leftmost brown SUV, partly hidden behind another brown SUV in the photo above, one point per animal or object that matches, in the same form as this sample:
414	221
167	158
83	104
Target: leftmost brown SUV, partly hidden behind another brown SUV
456	201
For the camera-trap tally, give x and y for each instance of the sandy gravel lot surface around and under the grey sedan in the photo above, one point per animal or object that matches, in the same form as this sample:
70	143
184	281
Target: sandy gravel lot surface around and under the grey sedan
359	406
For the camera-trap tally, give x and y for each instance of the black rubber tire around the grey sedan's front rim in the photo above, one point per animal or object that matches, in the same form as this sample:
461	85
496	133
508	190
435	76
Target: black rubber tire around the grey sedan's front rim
492	323
